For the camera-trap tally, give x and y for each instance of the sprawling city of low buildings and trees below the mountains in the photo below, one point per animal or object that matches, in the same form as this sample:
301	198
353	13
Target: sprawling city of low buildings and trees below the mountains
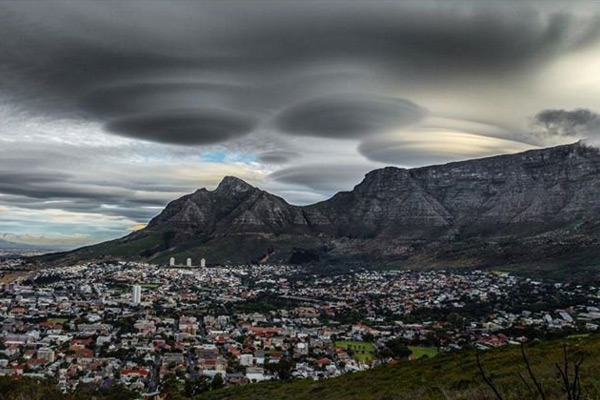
139	325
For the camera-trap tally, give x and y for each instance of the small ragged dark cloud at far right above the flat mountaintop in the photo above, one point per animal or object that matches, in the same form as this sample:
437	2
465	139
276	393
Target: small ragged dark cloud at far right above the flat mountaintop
575	123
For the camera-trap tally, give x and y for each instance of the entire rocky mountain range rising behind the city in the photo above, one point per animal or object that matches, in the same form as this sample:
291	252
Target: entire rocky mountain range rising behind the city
538	209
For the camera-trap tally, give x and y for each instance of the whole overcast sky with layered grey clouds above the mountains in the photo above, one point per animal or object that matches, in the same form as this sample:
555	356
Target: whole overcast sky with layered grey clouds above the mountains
108	110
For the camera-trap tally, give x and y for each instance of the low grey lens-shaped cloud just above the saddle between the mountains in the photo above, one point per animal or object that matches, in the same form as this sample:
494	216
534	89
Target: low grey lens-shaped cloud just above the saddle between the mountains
324	177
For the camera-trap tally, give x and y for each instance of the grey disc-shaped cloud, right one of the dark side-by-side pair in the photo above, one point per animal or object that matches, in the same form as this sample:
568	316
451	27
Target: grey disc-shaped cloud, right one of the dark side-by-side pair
348	117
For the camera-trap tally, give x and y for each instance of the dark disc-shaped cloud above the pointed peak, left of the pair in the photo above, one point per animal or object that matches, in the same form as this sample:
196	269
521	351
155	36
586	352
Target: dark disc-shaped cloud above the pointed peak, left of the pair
183	127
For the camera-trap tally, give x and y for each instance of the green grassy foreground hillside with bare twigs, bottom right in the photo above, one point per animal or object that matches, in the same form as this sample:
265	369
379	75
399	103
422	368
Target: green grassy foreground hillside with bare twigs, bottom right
447	376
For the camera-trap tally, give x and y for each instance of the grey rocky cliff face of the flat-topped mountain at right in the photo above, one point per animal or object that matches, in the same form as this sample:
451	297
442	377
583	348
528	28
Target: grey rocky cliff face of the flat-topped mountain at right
524	191
